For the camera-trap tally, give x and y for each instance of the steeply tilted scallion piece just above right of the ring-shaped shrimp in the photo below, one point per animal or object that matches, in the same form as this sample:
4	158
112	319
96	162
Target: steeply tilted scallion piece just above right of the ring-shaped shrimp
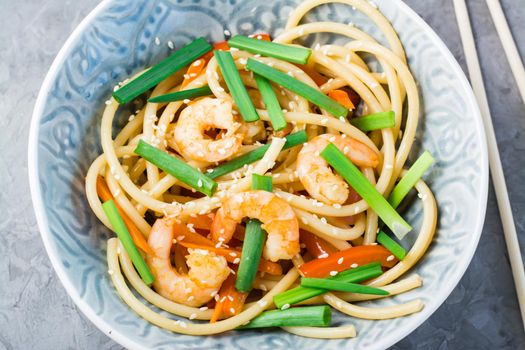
237	89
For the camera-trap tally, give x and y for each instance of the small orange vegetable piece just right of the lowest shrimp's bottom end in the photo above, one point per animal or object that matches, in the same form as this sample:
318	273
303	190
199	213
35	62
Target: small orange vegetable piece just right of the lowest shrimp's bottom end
230	301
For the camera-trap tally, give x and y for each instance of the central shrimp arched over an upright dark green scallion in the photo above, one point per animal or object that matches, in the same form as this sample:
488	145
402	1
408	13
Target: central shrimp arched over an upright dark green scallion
277	217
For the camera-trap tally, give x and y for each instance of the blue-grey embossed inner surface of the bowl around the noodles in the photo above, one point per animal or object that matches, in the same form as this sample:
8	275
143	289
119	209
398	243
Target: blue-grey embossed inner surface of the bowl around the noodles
119	38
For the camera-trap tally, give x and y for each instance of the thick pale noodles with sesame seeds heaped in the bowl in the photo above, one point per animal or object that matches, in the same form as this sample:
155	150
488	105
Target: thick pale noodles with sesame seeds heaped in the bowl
142	189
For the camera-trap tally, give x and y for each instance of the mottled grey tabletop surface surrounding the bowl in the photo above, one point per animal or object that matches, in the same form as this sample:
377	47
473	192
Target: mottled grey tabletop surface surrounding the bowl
35	311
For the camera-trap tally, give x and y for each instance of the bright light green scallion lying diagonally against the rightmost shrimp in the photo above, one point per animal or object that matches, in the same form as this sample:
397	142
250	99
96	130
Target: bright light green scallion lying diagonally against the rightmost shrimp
364	188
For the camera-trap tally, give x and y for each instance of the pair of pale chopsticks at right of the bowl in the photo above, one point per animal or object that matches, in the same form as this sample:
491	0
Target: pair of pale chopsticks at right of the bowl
496	168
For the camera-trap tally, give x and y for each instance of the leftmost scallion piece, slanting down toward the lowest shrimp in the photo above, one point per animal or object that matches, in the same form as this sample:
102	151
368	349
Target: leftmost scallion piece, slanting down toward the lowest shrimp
123	235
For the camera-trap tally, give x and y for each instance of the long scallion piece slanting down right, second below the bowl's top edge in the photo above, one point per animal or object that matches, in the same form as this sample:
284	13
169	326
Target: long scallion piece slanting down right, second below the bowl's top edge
311	94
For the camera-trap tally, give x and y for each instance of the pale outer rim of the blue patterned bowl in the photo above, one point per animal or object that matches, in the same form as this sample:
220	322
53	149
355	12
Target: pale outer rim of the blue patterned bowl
102	325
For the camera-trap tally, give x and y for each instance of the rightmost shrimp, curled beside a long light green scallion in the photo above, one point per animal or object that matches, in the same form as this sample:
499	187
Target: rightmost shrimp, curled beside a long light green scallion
317	177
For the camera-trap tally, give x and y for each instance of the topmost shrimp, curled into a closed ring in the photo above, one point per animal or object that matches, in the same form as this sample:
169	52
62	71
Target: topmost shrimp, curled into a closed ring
201	116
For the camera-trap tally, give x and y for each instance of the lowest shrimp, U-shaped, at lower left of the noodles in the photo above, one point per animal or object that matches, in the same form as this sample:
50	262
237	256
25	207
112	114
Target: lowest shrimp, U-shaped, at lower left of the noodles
206	270
